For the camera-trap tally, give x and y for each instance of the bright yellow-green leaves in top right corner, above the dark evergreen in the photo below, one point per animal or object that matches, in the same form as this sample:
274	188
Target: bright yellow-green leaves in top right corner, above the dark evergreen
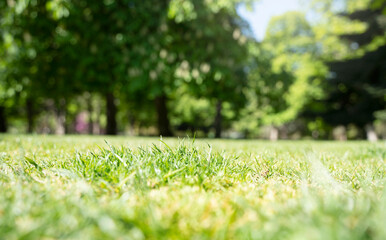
334	23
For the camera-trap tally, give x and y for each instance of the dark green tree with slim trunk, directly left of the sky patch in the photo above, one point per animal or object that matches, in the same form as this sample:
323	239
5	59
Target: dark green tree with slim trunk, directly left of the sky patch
210	71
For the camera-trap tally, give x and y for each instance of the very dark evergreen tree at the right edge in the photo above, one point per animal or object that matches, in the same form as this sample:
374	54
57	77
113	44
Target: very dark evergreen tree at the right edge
357	86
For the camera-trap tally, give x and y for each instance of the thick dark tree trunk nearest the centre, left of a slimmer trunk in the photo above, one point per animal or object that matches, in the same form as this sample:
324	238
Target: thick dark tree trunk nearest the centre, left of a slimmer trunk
162	114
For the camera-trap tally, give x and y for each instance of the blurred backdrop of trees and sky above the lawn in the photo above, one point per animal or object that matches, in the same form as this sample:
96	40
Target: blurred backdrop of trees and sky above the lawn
273	69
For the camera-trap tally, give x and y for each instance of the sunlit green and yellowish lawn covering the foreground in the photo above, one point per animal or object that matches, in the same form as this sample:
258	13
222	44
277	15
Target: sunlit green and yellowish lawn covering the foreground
143	188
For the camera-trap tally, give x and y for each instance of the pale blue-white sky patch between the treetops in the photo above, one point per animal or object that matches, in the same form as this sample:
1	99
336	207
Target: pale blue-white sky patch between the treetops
262	12
